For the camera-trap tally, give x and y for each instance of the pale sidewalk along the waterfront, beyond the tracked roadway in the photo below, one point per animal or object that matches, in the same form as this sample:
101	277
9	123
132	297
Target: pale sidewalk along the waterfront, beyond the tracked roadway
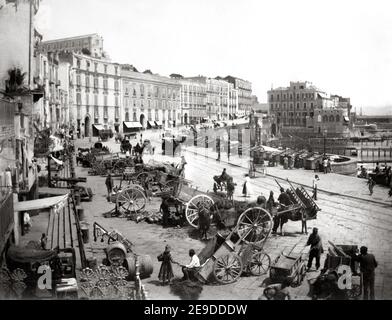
332	183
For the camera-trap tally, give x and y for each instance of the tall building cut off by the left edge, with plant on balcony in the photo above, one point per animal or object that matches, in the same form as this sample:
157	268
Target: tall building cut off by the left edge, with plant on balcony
17	72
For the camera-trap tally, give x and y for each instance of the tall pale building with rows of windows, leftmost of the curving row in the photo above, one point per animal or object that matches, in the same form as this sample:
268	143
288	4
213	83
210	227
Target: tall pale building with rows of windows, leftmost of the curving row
94	93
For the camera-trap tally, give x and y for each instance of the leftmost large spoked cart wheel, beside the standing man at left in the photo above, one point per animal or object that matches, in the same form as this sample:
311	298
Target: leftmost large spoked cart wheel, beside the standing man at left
131	200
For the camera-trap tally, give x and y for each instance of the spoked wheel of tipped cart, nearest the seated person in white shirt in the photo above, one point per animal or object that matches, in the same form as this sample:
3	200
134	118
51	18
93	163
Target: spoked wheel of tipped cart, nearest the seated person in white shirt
227	268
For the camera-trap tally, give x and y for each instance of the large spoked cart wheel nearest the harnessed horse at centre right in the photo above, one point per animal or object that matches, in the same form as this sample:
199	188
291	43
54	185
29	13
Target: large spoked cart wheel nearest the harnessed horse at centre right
254	225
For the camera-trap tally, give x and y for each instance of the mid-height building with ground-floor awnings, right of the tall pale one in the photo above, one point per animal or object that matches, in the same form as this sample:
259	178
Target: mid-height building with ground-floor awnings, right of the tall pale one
150	99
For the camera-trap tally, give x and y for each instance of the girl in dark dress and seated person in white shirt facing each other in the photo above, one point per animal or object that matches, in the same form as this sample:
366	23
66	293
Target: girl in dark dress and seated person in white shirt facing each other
189	270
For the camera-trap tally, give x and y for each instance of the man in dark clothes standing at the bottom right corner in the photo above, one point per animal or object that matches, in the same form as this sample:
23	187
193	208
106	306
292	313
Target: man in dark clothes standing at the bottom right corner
368	264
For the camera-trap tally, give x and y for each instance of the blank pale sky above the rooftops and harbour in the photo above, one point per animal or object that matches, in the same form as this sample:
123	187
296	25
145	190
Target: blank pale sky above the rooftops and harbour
343	47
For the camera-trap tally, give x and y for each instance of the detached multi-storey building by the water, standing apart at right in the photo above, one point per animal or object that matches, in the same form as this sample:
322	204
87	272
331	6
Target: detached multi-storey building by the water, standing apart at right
302	108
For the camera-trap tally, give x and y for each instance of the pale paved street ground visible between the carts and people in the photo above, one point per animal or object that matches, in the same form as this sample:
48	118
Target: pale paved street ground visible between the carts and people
343	220
